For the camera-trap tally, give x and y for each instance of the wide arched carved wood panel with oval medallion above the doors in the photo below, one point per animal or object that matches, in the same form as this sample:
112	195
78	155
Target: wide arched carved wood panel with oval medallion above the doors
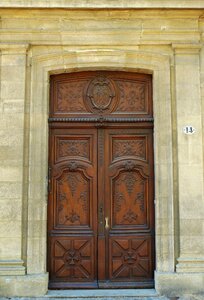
101	93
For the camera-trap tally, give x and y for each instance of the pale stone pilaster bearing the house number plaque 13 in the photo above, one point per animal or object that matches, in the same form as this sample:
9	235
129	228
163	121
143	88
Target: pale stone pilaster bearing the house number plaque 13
190	159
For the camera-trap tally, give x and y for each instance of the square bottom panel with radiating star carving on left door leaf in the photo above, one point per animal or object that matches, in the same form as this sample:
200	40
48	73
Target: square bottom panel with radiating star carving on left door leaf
73	259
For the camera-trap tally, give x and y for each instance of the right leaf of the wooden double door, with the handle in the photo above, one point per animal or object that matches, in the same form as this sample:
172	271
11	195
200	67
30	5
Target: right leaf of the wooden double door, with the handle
129	205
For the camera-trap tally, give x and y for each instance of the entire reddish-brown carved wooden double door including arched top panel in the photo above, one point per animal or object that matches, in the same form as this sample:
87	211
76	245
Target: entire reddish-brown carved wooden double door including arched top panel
100	206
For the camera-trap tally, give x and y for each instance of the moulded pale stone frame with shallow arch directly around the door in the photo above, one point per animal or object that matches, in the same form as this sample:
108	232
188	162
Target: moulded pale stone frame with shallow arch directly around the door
64	60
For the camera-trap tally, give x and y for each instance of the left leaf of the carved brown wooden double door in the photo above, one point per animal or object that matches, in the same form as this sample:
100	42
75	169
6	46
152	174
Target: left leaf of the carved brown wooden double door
72	227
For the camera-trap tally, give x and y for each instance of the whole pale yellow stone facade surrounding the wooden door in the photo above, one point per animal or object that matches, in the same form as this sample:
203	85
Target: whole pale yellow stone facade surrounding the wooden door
168	44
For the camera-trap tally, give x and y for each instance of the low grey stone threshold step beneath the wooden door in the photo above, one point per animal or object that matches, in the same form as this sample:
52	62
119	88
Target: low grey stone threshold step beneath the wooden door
103	293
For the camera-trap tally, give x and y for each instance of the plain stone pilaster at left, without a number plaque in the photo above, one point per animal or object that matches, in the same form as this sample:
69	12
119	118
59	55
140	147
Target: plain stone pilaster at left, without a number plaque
12	101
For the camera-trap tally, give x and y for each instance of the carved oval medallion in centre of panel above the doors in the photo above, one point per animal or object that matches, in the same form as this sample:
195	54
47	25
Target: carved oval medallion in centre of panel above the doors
100	95
